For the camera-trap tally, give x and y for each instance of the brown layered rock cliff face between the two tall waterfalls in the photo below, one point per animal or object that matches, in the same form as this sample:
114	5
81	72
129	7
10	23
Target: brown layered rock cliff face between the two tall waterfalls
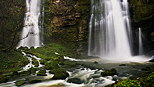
66	22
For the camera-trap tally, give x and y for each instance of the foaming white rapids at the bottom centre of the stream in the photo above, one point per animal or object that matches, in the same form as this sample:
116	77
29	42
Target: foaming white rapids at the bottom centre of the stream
91	78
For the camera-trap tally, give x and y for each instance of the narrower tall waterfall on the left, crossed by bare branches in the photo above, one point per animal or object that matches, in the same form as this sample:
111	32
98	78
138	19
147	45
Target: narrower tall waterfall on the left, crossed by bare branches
31	31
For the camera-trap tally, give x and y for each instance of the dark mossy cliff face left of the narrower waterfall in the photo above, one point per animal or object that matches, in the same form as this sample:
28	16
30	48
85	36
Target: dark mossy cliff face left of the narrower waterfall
11	22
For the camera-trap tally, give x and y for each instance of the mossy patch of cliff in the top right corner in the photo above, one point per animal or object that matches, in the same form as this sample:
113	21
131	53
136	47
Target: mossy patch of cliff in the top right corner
142	10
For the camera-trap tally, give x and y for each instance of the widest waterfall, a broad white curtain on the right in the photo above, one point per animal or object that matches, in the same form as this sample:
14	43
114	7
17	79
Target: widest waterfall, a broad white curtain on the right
109	29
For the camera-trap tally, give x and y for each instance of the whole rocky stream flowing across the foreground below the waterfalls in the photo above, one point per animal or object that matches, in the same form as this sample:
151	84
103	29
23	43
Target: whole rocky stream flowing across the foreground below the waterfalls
81	77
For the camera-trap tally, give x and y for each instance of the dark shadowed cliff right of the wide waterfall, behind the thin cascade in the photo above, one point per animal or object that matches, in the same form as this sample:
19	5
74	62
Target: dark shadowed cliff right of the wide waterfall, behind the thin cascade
142	15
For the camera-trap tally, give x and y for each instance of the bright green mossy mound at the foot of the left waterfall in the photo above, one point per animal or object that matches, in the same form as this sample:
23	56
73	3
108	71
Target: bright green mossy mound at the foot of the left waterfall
48	52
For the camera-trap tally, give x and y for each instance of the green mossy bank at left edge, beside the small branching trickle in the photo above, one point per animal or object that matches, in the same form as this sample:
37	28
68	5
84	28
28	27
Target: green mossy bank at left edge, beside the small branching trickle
12	61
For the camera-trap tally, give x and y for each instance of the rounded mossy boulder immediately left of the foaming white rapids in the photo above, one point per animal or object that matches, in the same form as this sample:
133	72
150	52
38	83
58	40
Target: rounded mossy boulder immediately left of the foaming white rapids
59	73
